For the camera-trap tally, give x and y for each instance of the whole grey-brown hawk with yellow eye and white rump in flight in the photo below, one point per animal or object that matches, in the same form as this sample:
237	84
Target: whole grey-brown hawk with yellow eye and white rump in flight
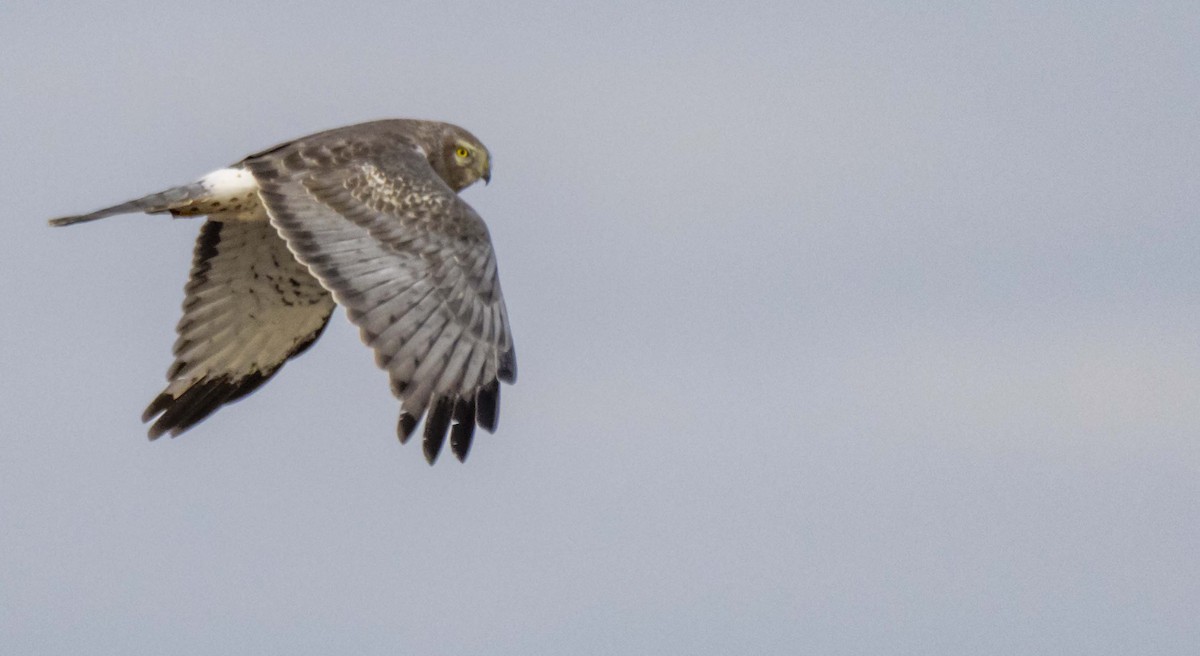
368	216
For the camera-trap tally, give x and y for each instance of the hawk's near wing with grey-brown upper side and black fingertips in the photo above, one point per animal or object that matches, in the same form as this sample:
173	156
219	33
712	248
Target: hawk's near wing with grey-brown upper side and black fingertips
415	267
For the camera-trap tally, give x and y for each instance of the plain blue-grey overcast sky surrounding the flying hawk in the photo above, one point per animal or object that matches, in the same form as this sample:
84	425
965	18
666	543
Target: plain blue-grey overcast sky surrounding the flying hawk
844	328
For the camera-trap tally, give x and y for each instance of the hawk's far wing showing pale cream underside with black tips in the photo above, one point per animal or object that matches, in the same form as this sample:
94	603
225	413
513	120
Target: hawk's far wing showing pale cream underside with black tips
250	308
